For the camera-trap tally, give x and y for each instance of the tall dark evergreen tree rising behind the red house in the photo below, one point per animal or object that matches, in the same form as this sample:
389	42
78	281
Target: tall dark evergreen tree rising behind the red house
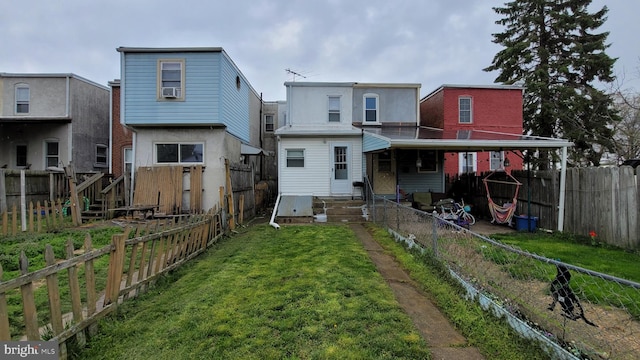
551	49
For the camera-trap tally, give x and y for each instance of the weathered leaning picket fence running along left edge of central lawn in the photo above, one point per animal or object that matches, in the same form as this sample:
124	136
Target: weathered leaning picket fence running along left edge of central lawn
155	248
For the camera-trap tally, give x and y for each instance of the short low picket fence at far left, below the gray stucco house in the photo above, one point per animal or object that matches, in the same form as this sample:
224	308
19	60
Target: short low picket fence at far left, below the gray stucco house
39	218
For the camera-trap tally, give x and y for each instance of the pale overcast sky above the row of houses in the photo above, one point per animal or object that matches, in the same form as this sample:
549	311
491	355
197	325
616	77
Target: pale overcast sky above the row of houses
431	42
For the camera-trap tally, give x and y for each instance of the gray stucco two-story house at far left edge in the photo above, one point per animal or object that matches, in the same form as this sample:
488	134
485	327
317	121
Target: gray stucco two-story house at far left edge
50	120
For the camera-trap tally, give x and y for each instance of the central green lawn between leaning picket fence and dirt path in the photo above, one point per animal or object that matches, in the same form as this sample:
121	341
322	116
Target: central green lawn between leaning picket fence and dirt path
302	292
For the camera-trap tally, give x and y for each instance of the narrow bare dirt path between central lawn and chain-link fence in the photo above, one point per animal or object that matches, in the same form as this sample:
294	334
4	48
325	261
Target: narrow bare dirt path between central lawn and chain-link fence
444	341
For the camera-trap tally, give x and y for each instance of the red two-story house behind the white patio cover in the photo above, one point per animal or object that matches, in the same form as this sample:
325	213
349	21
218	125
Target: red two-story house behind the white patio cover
494	108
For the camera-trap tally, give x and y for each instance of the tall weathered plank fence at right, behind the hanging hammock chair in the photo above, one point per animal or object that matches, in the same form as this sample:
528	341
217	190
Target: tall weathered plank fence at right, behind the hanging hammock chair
603	200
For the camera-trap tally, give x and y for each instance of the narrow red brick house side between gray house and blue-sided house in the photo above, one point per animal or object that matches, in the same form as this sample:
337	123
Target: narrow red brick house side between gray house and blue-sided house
121	137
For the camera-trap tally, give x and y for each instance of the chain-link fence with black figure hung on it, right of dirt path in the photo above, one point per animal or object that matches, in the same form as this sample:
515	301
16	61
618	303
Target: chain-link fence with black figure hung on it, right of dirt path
581	314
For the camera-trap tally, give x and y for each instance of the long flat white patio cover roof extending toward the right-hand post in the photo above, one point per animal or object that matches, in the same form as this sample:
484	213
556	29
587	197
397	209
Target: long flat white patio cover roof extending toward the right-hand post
454	140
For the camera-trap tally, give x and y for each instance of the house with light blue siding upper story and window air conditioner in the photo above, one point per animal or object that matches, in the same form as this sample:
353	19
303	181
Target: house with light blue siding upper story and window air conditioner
188	107
